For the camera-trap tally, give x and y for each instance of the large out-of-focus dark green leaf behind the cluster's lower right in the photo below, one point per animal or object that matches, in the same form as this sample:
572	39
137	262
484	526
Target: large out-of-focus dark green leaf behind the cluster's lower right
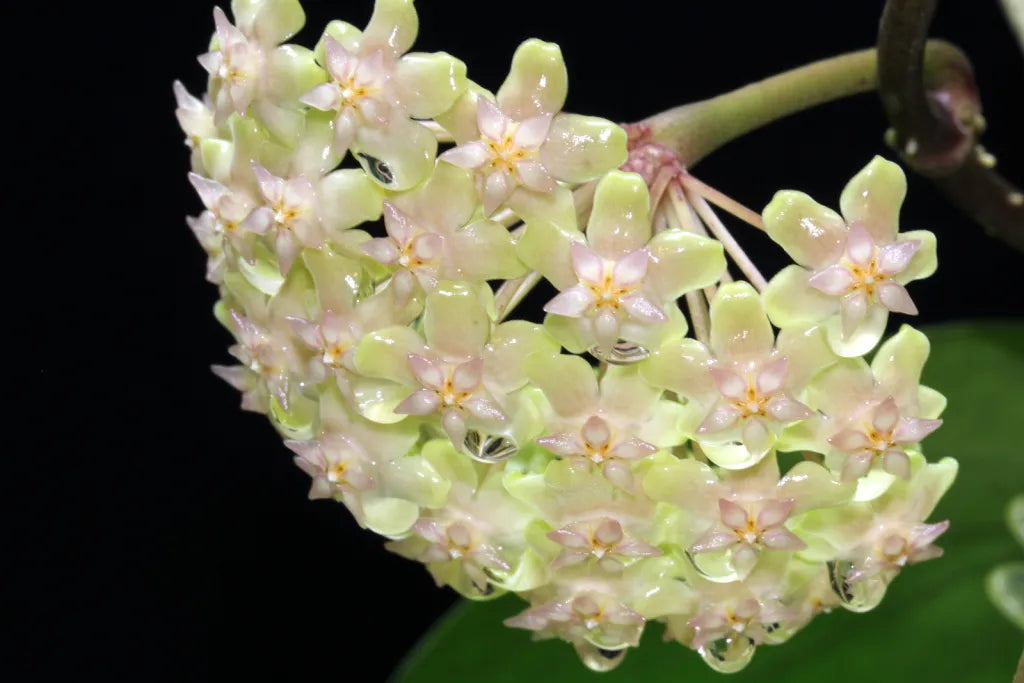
936	623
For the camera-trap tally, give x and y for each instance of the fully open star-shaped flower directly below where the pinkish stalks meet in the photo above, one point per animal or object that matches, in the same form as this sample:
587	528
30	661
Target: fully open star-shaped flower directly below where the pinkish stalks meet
619	282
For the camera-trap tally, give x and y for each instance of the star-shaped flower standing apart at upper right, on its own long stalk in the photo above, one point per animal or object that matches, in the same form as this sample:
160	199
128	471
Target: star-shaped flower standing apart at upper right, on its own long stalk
852	269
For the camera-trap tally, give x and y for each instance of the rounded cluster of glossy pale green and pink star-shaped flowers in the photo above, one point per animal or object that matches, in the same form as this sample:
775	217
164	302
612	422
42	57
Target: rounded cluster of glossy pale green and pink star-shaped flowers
603	464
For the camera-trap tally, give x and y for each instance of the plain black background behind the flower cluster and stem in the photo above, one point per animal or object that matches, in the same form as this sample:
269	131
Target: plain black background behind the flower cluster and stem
165	535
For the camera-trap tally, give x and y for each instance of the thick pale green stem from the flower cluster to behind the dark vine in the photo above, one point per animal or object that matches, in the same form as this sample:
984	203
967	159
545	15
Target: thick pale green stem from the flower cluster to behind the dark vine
695	131
